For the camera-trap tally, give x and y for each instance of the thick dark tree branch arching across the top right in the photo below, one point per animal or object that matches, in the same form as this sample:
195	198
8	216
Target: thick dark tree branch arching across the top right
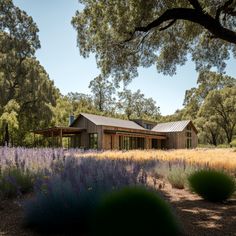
193	15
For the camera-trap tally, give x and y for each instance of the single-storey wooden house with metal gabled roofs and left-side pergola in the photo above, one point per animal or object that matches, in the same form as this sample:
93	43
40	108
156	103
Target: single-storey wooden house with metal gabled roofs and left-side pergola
104	133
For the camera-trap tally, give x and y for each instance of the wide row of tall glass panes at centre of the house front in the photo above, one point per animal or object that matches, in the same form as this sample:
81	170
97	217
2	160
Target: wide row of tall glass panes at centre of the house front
127	143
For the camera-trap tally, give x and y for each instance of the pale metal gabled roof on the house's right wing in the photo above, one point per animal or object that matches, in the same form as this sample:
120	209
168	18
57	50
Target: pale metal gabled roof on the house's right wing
176	126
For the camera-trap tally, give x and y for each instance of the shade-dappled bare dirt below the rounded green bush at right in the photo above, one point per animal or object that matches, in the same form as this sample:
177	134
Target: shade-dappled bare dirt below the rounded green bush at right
200	217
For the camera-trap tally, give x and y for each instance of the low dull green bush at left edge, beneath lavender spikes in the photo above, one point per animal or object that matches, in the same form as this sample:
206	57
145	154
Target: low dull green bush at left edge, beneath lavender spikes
14	182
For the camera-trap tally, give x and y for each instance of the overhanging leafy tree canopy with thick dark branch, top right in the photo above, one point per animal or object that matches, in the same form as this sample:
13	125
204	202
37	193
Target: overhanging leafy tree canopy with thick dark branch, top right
160	32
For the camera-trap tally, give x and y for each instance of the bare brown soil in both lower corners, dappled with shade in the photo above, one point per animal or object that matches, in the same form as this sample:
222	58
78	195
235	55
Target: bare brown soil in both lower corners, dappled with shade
198	217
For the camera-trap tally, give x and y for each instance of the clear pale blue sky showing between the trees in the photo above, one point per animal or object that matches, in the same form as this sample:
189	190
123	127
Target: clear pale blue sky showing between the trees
72	73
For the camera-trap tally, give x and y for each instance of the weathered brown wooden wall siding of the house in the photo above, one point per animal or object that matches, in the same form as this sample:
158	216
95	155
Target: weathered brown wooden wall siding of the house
108	141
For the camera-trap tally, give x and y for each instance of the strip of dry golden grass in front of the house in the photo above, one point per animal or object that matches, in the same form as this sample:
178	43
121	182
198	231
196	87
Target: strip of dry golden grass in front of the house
214	158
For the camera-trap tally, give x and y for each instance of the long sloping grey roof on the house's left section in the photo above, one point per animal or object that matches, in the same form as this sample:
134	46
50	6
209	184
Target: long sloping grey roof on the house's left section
108	121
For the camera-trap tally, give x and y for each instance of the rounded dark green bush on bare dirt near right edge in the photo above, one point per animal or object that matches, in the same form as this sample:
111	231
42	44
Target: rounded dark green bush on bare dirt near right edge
212	185
